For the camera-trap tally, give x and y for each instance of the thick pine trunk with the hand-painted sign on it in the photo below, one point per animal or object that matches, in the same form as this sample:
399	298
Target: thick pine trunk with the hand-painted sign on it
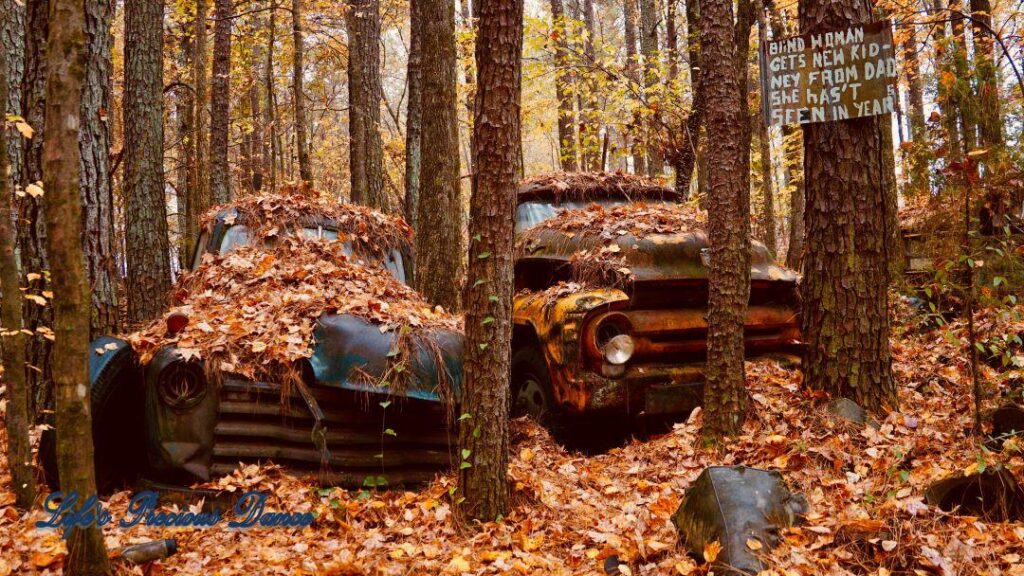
846	284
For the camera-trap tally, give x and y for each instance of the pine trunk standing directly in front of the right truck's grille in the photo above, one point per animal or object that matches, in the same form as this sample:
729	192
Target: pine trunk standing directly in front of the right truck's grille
729	230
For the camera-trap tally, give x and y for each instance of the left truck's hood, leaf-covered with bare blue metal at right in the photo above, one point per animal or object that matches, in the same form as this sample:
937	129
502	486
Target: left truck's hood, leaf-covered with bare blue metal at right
255	312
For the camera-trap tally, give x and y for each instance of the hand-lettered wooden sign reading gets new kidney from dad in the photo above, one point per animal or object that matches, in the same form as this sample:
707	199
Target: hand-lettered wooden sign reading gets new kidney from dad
830	76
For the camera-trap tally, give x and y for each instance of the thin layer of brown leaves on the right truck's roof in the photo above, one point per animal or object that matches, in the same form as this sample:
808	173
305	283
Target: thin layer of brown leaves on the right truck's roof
587	185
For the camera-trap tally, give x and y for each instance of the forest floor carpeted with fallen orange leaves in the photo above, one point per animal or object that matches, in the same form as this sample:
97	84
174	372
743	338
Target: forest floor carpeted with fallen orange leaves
571	513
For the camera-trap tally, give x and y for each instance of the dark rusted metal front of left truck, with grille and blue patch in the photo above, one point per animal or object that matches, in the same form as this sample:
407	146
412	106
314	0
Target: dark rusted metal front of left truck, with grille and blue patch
336	417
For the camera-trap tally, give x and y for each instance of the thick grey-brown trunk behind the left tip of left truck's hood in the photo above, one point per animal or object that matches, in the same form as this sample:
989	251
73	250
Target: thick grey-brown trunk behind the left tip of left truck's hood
146	215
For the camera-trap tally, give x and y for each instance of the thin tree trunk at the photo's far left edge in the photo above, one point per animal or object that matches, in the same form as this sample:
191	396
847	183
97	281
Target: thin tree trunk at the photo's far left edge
19	447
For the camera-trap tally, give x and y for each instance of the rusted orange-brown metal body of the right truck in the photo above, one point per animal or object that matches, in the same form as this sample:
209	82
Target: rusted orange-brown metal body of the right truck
663	309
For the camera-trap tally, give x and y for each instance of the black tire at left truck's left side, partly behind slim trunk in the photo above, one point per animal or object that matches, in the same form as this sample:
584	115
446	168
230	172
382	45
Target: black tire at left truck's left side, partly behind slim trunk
116	407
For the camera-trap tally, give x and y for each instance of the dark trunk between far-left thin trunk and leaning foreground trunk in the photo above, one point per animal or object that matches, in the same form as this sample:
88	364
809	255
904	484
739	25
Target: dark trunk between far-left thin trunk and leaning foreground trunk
32	232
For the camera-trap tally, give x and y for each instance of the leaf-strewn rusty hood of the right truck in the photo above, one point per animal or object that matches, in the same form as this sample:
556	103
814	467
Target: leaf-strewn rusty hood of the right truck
632	243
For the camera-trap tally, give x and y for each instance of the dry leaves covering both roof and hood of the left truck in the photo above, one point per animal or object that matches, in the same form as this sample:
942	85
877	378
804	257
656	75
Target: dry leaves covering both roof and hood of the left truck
253	311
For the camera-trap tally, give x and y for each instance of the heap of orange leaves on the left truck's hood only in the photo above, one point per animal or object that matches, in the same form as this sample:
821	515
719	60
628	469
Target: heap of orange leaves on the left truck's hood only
253	311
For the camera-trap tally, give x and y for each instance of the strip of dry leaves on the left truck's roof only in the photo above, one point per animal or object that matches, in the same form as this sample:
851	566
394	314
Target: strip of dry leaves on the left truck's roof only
272	216
